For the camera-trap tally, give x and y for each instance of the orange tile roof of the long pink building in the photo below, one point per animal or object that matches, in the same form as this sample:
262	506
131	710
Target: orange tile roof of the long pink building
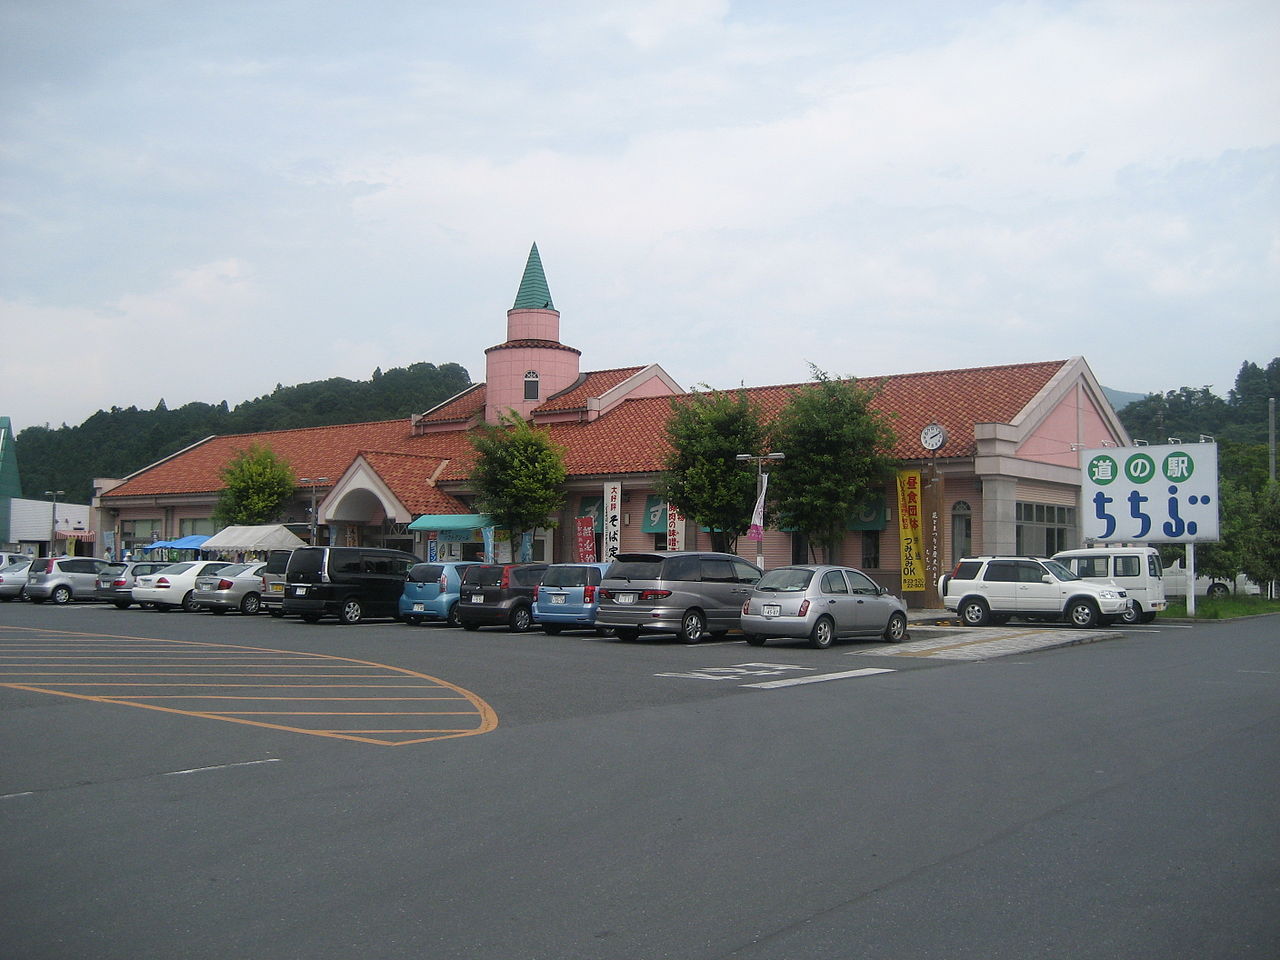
630	440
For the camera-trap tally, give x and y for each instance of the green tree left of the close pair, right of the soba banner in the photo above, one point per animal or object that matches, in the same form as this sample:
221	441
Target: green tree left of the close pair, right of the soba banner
702	477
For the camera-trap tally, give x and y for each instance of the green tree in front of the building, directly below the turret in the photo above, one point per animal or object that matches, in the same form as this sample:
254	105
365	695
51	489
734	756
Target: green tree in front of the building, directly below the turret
519	476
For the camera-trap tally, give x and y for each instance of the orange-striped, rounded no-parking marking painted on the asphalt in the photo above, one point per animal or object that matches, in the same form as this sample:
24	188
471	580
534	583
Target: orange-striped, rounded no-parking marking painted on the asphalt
484	716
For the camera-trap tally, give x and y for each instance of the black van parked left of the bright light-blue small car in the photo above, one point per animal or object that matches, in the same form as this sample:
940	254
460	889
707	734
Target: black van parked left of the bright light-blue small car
349	583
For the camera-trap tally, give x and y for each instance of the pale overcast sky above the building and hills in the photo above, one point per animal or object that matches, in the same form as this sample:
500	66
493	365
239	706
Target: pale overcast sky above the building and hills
202	200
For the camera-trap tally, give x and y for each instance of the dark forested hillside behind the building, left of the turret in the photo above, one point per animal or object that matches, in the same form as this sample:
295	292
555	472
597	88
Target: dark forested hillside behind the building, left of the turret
117	442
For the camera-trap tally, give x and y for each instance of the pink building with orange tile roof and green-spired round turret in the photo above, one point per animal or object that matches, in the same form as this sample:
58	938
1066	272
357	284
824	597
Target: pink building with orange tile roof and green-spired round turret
1000	473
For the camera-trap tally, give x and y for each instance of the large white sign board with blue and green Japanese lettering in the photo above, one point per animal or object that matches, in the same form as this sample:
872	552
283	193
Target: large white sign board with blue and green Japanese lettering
1153	495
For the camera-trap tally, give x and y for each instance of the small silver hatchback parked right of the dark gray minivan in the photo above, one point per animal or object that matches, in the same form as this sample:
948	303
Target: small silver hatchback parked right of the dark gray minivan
821	604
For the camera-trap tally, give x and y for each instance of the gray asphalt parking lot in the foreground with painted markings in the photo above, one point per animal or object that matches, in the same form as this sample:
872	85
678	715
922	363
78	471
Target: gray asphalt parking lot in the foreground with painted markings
575	797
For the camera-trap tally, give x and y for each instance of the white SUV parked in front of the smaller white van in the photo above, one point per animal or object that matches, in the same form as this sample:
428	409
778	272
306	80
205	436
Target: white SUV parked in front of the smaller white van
993	589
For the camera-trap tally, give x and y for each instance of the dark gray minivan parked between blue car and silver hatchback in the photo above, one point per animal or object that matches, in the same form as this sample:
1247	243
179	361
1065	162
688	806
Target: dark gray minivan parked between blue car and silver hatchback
685	593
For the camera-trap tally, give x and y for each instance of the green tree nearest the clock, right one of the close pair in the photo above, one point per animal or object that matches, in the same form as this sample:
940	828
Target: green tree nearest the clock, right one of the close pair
838	456
